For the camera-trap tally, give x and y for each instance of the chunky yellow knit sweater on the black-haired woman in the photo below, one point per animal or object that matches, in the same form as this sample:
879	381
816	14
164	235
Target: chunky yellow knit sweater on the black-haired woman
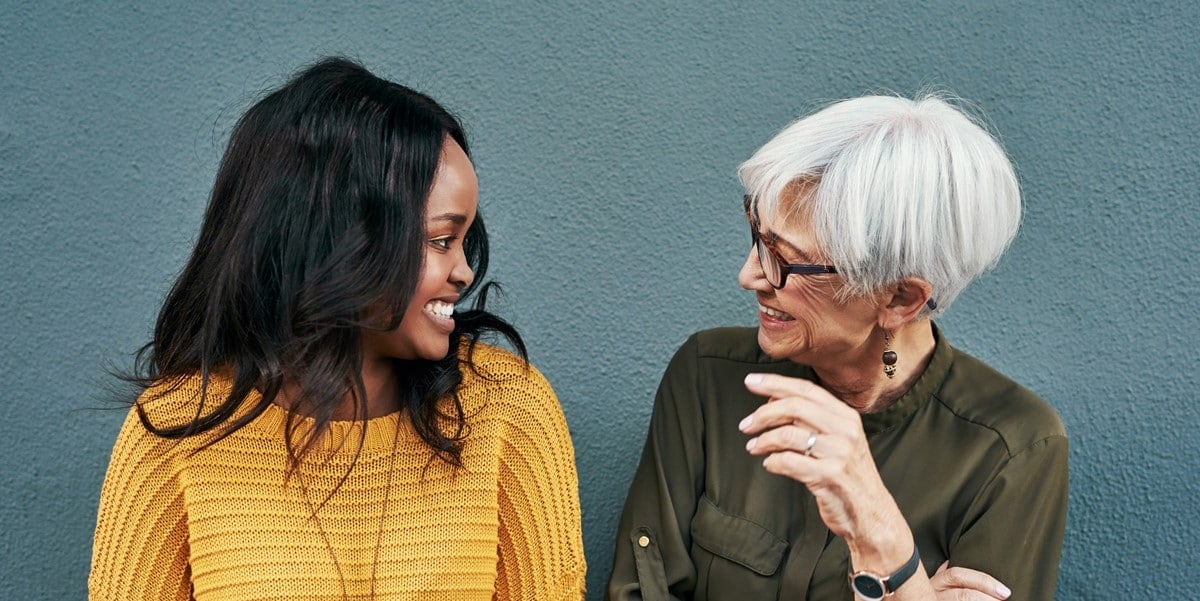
223	525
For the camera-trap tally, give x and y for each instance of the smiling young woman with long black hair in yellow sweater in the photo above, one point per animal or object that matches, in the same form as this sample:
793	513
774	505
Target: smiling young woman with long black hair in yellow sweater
317	420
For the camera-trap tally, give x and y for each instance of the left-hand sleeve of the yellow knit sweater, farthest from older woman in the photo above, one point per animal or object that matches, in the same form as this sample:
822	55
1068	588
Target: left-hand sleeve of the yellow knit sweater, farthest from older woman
141	550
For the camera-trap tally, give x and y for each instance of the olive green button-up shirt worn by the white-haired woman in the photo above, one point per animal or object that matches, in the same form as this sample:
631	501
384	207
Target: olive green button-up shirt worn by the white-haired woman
976	464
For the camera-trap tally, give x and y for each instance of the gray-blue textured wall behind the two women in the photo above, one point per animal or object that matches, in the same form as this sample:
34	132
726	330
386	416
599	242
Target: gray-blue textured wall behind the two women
607	137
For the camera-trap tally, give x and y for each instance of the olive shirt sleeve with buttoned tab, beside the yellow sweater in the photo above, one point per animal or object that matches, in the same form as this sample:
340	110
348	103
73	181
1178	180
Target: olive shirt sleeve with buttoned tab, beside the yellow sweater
652	560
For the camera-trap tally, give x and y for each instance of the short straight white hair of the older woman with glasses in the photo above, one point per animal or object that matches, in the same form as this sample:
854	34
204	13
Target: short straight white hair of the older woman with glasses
893	189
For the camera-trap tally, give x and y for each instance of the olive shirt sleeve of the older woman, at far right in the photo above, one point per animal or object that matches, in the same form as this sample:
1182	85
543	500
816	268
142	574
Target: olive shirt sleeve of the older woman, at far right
1018	521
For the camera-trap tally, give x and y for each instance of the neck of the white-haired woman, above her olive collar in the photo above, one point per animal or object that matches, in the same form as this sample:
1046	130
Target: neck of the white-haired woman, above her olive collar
863	384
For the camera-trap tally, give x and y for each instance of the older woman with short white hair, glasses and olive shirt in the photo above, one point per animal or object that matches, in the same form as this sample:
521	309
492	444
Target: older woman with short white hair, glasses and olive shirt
844	447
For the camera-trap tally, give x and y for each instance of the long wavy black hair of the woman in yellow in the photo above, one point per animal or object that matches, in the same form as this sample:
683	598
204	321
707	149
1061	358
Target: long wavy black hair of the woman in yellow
316	221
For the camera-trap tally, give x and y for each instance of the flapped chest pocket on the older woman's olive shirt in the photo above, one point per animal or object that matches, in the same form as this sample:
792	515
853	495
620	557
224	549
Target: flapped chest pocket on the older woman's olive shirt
735	558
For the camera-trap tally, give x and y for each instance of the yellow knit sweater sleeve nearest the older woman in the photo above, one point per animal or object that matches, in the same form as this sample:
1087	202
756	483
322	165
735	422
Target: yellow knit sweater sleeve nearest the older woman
542	538
